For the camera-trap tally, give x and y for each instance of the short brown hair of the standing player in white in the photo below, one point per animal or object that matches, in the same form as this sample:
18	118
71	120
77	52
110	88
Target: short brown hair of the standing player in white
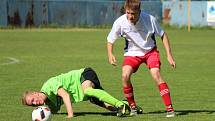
132	4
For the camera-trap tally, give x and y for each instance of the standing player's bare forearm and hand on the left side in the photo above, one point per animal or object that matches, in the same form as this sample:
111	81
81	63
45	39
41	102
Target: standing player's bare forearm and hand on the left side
111	57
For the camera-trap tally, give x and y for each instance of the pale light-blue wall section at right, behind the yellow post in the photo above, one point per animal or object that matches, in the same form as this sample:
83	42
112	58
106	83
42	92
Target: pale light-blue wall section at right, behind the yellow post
176	13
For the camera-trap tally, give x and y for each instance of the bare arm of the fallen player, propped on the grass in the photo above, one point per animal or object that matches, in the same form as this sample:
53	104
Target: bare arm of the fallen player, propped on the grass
66	99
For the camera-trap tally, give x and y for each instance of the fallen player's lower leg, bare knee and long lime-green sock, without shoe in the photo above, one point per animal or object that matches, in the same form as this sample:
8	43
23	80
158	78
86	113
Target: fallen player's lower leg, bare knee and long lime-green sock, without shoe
103	96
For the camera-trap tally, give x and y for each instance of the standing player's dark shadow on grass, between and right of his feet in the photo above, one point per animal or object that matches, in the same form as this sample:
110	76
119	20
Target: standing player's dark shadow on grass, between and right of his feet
184	112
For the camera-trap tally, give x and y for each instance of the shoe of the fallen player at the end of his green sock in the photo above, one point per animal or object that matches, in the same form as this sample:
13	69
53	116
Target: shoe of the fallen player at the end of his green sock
123	110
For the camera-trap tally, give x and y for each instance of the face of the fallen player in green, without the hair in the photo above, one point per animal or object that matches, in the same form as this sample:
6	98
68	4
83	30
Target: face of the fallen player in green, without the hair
34	99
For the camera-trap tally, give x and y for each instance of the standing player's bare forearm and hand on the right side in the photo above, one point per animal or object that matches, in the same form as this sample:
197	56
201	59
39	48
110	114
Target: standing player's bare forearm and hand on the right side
166	44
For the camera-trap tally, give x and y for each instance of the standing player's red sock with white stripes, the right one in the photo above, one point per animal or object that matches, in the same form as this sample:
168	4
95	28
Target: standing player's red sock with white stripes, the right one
165	94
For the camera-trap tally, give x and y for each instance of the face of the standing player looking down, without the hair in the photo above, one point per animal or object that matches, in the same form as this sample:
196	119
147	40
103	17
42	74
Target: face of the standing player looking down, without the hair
132	15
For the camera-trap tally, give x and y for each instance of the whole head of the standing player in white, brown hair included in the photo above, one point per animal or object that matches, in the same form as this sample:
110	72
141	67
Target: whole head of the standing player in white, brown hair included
132	10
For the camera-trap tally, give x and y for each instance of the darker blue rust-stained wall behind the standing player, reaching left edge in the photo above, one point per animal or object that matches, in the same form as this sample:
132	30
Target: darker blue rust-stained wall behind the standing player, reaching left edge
66	12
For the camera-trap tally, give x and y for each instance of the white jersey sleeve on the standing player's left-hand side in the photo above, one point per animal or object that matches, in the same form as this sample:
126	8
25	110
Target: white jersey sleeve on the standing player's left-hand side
114	33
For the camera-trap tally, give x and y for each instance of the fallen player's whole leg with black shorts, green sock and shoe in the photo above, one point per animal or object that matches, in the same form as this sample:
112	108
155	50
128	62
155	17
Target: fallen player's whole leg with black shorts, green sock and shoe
98	96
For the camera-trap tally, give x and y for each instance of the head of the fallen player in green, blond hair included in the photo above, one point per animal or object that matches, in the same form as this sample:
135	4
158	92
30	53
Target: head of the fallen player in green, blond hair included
32	98
